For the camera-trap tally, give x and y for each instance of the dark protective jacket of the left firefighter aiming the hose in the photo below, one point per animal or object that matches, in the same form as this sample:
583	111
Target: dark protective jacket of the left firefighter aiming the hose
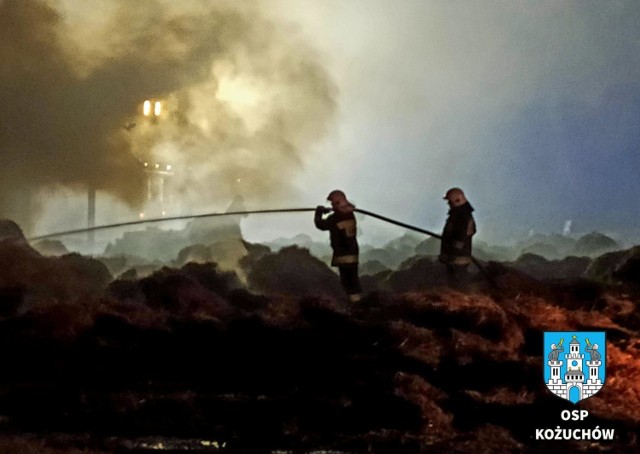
342	233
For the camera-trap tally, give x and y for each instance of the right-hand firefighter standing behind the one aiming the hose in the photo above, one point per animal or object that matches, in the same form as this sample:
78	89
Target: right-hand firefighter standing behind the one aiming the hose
455	247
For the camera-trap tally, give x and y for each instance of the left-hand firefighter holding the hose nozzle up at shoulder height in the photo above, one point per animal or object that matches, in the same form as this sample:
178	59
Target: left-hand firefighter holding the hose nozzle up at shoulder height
341	224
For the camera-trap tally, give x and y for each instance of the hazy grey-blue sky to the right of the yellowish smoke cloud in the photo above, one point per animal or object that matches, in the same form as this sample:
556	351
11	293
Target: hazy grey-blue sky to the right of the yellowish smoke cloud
532	107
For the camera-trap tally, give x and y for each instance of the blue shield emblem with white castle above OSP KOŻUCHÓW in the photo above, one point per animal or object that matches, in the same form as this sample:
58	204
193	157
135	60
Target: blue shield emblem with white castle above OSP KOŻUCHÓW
574	363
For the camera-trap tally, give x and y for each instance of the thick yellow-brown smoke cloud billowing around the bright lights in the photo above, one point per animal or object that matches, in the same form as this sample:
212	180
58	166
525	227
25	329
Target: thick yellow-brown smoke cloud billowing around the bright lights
243	99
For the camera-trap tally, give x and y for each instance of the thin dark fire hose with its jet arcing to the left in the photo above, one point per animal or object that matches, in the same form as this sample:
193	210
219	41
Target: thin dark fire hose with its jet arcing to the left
242	213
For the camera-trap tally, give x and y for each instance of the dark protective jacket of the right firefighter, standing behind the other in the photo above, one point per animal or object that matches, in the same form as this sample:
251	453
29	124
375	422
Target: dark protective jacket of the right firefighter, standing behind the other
455	246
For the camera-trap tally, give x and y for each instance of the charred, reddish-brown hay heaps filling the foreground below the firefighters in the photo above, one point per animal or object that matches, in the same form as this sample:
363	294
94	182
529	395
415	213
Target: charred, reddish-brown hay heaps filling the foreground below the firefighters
193	353
